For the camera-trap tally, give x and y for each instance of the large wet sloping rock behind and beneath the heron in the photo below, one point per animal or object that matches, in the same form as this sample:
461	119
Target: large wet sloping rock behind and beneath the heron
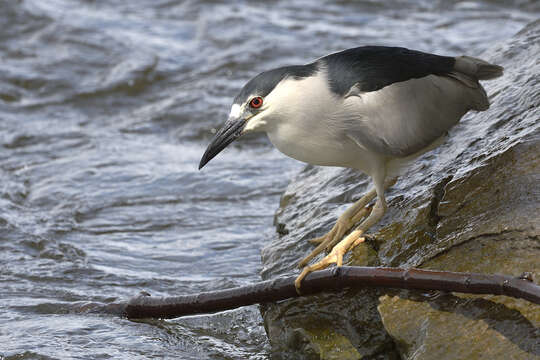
470	205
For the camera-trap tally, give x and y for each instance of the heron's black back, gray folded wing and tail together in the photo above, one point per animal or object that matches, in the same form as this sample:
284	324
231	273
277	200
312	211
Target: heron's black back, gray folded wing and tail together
403	100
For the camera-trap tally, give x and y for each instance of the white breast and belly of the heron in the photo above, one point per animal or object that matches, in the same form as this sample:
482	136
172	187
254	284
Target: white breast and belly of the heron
304	127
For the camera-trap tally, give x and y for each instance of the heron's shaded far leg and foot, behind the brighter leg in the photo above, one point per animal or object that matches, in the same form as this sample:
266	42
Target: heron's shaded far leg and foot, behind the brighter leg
330	239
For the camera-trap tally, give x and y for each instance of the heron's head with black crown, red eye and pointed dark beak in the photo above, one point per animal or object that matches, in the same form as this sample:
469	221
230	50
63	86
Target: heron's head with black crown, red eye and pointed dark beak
256	107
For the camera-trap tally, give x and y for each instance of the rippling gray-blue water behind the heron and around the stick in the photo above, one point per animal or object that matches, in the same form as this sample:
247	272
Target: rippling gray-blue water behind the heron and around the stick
105	110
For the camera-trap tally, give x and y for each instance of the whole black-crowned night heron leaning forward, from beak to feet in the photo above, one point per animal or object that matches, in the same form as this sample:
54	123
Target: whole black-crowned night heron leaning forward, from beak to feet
370	108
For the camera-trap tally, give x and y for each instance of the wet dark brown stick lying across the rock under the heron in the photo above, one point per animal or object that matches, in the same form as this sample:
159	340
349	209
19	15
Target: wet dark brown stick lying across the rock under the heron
145	306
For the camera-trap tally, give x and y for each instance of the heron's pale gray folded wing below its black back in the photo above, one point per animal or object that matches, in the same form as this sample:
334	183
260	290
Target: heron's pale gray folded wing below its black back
406	117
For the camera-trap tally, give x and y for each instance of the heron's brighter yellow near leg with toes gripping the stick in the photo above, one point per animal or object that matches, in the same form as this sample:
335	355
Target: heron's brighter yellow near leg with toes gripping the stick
353	239
